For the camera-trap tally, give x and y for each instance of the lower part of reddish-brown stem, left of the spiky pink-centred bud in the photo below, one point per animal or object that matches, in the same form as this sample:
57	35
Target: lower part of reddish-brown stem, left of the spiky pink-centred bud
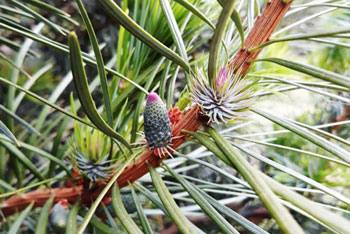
131	173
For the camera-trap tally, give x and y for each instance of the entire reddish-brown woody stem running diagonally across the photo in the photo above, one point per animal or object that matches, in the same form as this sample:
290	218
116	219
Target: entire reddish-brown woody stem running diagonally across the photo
260	33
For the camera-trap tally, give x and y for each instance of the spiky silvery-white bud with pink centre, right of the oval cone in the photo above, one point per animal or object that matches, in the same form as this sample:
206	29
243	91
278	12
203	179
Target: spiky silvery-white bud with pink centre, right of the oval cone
229	99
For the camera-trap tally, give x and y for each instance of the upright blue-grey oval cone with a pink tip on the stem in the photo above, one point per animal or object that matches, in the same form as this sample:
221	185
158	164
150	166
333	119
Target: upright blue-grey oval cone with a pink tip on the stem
156	122
